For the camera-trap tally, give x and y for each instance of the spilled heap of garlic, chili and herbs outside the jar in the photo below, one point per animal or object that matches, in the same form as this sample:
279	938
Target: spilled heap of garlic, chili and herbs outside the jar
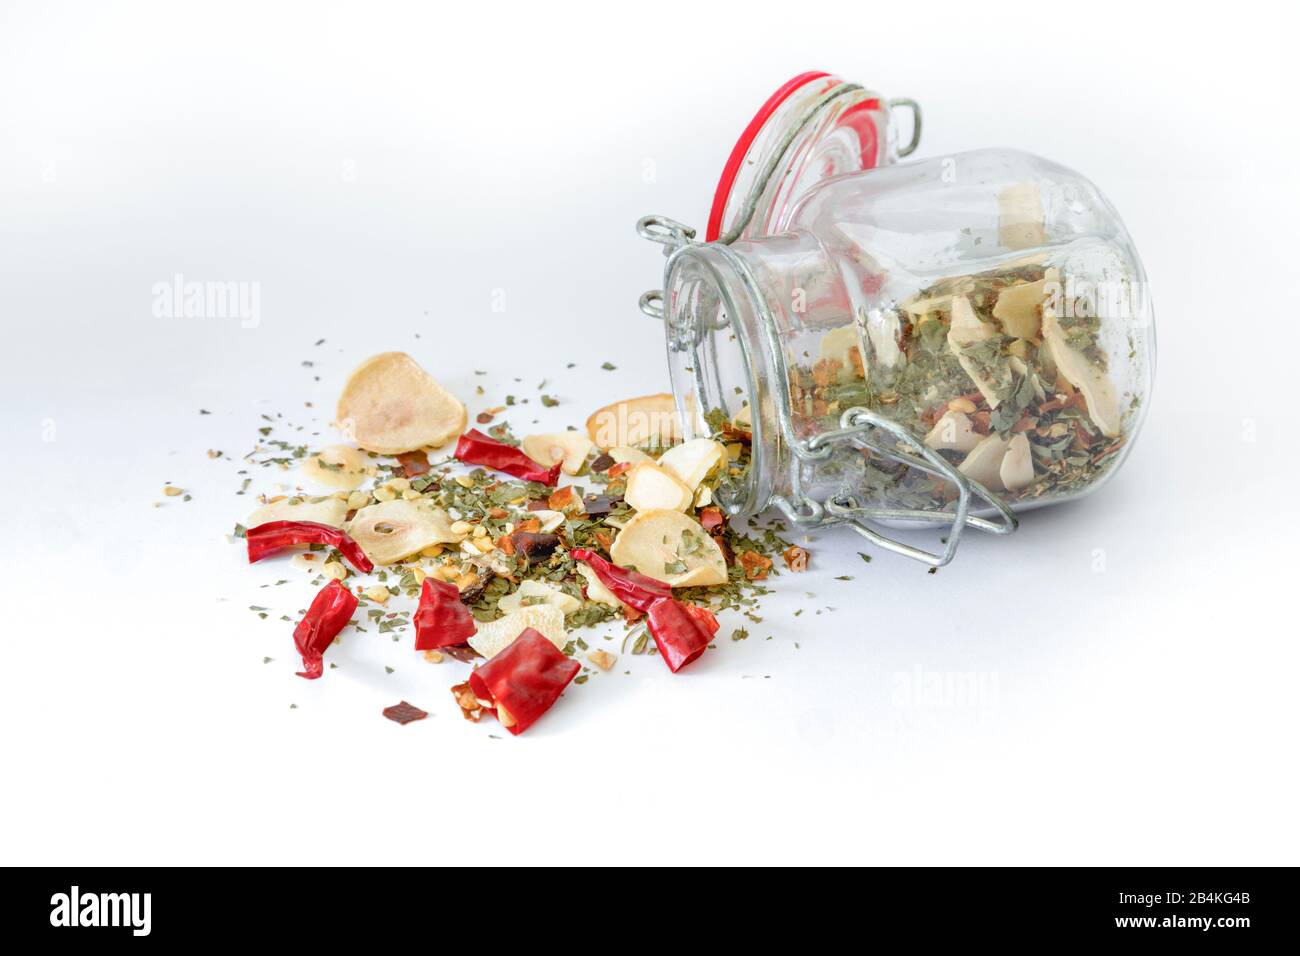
515	555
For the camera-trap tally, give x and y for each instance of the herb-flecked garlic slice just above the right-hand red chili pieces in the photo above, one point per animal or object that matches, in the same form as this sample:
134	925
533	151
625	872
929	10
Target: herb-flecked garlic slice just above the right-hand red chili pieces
671	548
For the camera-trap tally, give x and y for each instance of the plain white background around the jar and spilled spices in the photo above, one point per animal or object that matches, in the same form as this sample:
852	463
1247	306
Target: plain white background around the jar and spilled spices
380	171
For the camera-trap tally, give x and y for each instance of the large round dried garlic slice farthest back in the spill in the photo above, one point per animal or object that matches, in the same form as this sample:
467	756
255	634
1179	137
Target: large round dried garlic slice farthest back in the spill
391	405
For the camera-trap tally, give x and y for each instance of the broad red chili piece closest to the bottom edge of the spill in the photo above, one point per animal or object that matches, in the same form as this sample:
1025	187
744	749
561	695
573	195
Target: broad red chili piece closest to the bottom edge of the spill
522	682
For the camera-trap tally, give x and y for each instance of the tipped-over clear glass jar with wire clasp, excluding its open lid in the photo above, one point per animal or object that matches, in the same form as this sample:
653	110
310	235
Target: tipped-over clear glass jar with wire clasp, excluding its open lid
941	343
